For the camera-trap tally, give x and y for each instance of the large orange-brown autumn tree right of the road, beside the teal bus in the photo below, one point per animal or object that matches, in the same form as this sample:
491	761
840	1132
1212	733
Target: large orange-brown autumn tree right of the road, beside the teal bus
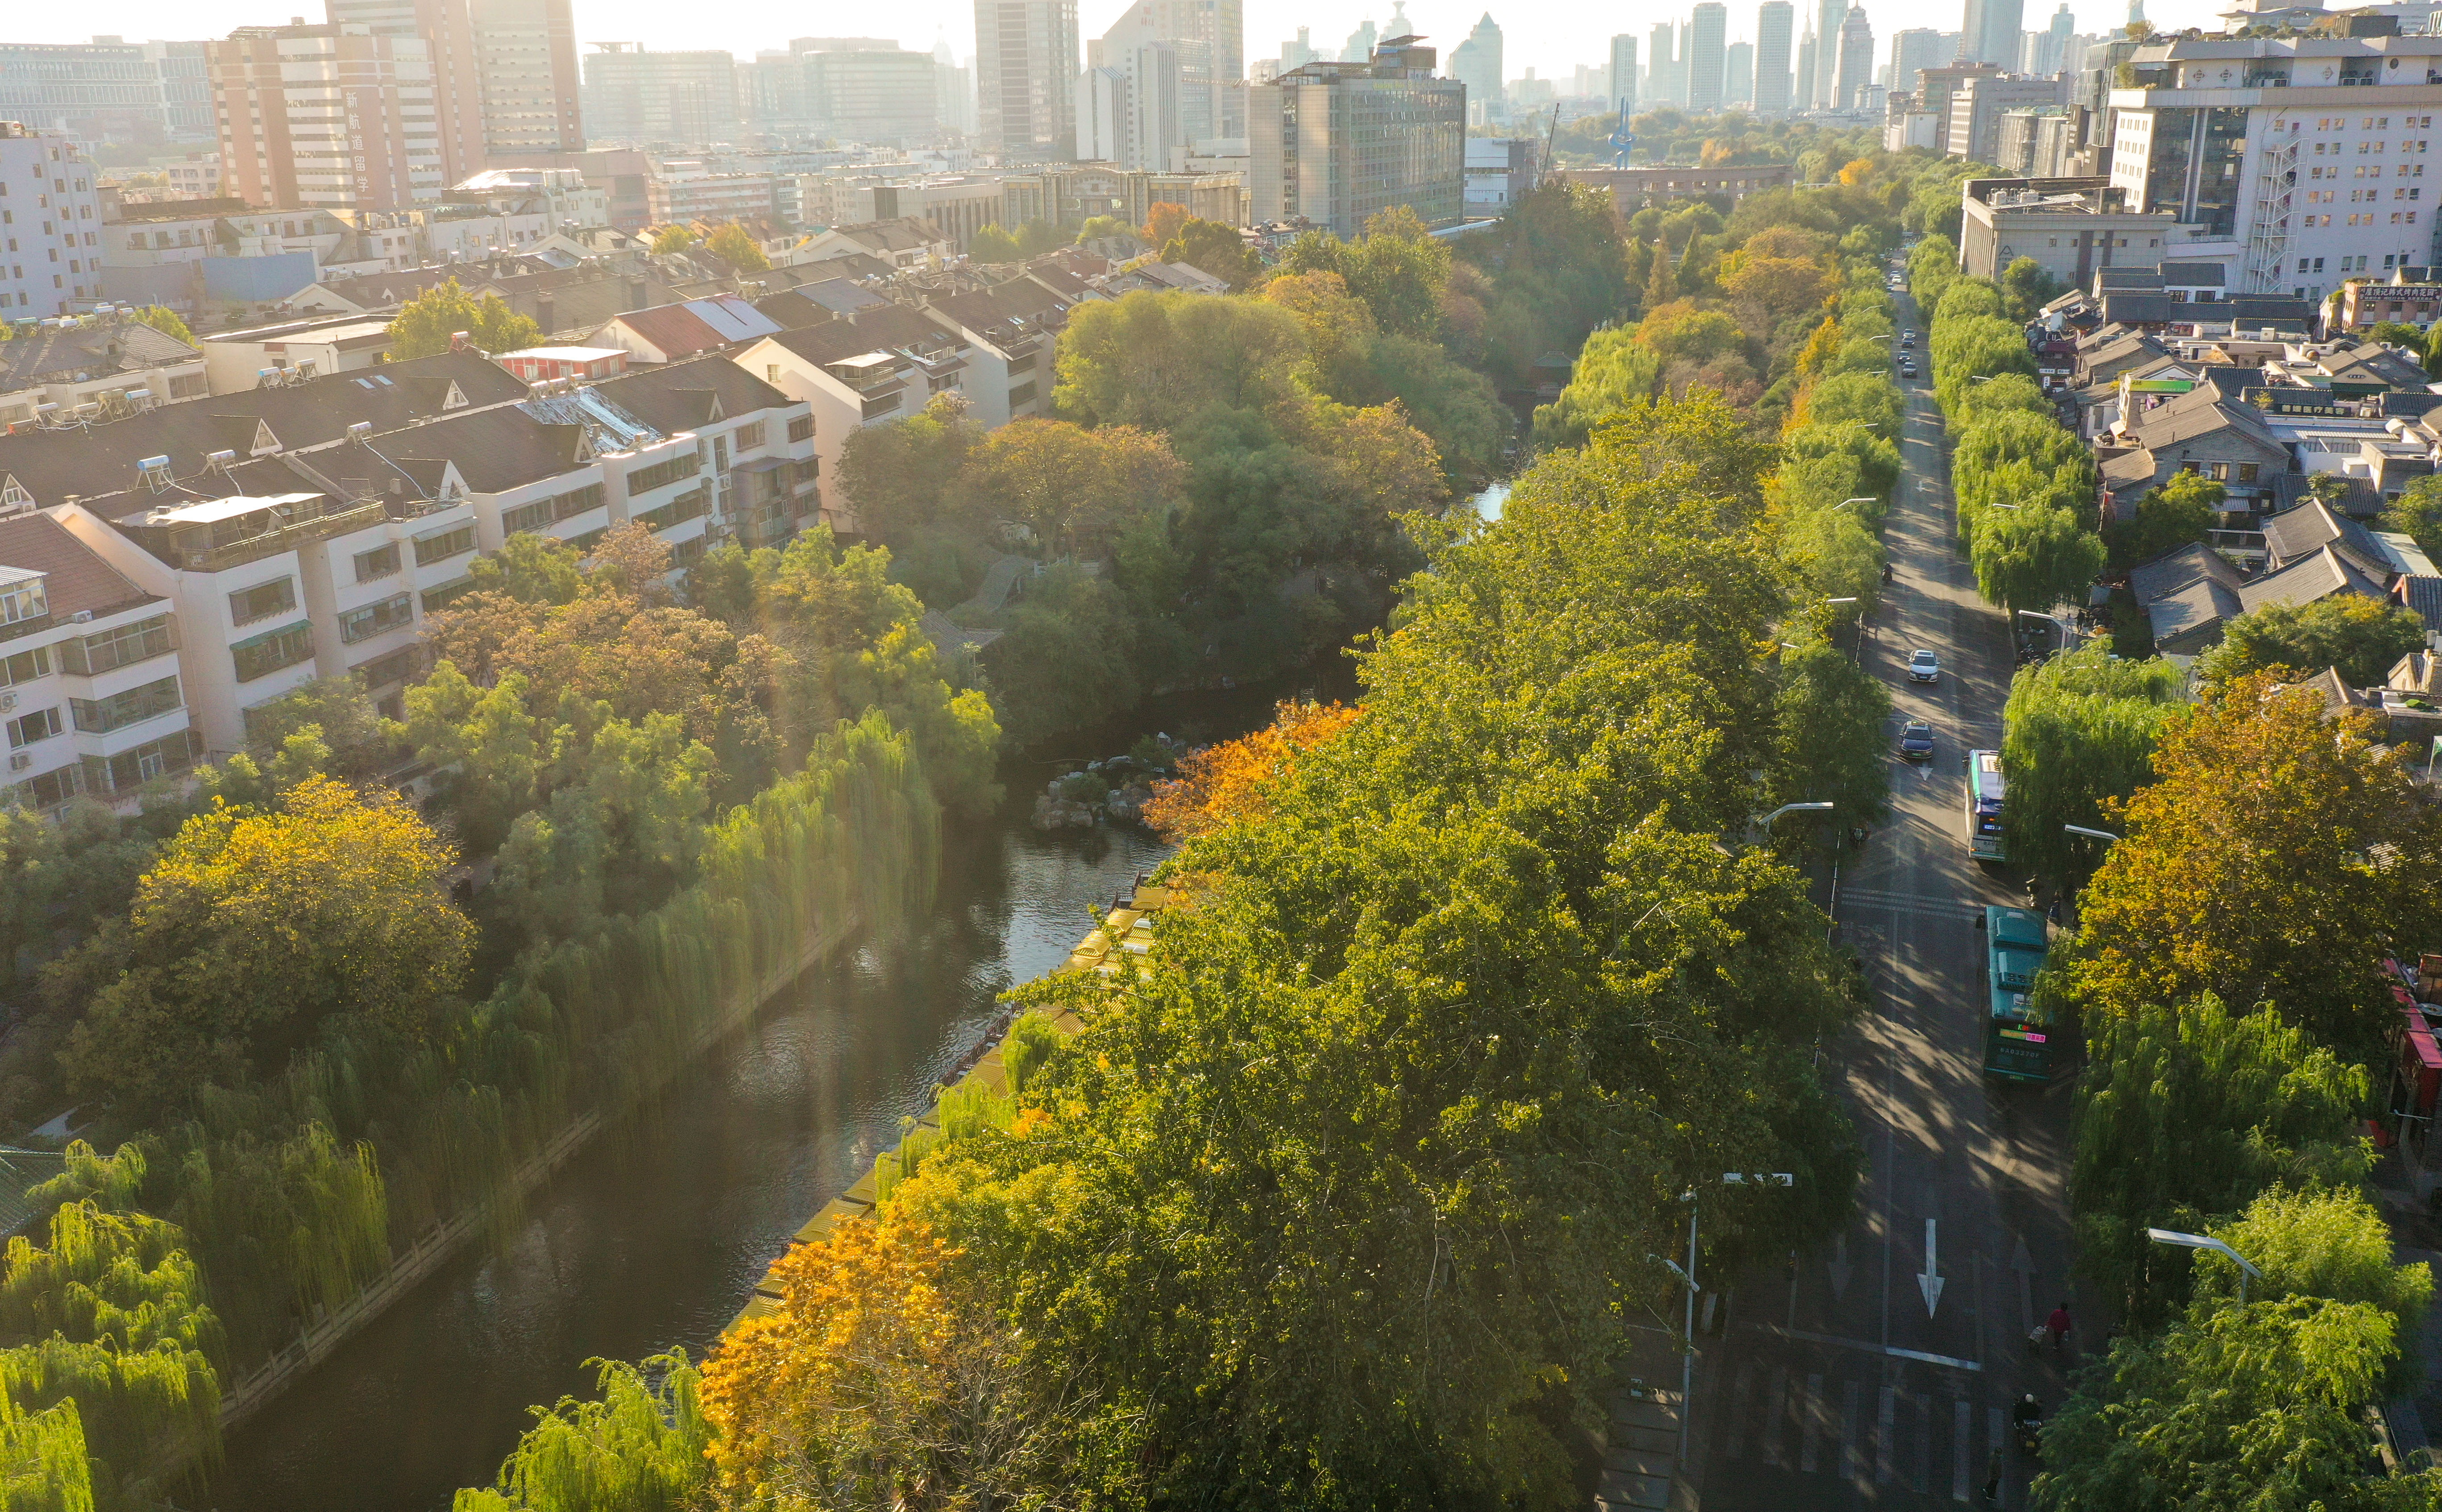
2272	861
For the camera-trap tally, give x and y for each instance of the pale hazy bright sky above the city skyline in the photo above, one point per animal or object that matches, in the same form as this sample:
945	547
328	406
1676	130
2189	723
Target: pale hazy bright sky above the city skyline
1542	35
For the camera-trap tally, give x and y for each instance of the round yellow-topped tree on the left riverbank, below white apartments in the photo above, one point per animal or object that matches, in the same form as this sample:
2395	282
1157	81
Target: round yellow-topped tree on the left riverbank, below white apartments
258	927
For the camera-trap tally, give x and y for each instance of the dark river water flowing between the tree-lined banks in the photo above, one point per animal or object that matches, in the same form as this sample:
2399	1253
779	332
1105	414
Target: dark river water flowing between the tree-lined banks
656	1235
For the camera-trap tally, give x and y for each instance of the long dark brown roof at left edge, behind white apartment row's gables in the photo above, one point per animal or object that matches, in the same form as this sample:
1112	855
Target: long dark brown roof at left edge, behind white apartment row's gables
316	414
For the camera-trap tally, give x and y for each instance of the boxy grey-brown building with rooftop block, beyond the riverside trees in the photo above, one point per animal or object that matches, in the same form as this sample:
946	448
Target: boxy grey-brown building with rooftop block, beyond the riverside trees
1339	143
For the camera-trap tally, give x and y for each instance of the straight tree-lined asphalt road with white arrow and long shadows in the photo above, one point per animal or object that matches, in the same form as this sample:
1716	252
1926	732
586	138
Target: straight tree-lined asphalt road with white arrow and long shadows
1845	1379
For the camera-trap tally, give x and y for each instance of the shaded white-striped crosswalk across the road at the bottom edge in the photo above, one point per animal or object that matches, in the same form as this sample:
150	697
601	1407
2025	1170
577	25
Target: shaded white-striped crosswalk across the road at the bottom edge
1879	1435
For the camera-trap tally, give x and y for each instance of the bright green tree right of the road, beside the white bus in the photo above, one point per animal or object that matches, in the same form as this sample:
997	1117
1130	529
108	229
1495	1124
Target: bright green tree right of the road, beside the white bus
2077	736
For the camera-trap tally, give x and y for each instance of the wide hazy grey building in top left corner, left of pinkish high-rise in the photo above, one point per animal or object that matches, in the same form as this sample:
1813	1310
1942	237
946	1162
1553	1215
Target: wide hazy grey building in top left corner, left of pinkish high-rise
109	92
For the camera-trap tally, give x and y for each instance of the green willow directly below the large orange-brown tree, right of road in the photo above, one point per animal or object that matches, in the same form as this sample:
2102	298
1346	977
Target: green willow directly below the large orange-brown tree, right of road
2187	1115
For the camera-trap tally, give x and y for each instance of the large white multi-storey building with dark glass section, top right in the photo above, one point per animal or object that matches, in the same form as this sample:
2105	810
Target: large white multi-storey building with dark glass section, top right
2311	153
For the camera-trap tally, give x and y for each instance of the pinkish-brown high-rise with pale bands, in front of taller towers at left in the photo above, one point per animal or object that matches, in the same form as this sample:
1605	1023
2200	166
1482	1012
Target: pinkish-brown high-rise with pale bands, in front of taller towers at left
326	118
